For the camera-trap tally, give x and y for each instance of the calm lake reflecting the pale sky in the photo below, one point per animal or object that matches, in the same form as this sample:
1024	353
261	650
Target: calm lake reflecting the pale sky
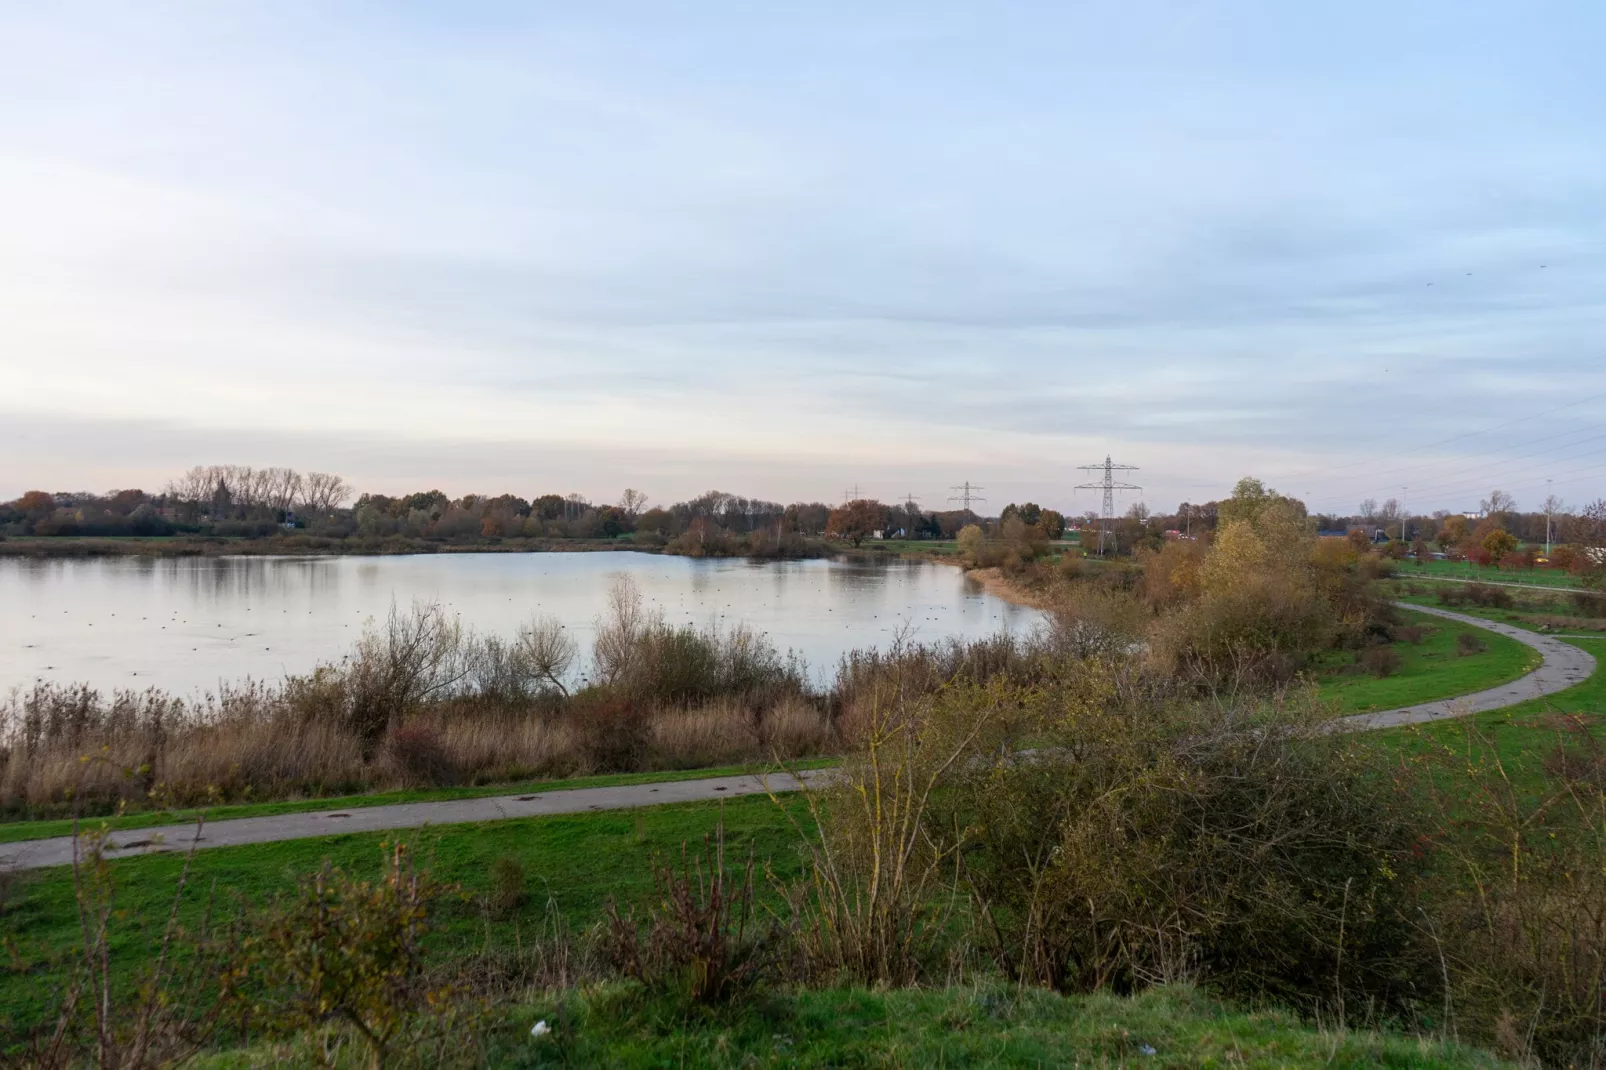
189	624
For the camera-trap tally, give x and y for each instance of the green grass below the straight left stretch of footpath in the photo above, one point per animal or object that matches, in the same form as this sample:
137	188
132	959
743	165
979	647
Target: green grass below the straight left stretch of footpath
577	860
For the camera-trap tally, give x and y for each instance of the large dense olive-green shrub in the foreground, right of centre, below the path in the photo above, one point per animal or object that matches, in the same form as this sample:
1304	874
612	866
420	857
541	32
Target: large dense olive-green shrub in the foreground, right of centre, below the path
1154	841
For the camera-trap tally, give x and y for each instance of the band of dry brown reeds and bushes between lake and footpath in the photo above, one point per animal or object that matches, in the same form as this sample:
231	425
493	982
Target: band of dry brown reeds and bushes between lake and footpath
425	701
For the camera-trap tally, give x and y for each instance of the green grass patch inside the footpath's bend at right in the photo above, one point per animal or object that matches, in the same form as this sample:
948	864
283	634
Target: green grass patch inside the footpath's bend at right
1430	671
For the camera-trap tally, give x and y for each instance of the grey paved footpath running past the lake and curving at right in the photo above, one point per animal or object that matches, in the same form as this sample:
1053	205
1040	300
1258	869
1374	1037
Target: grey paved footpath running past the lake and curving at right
1563	668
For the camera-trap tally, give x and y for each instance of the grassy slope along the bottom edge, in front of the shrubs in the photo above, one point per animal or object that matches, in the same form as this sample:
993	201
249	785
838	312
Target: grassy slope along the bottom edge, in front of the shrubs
990	1026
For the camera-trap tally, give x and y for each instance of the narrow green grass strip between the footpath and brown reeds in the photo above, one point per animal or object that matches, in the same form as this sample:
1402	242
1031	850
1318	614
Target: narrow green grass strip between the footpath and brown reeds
43	830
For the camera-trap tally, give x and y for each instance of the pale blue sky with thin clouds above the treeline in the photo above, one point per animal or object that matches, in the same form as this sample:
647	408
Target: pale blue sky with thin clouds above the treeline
1355	250
